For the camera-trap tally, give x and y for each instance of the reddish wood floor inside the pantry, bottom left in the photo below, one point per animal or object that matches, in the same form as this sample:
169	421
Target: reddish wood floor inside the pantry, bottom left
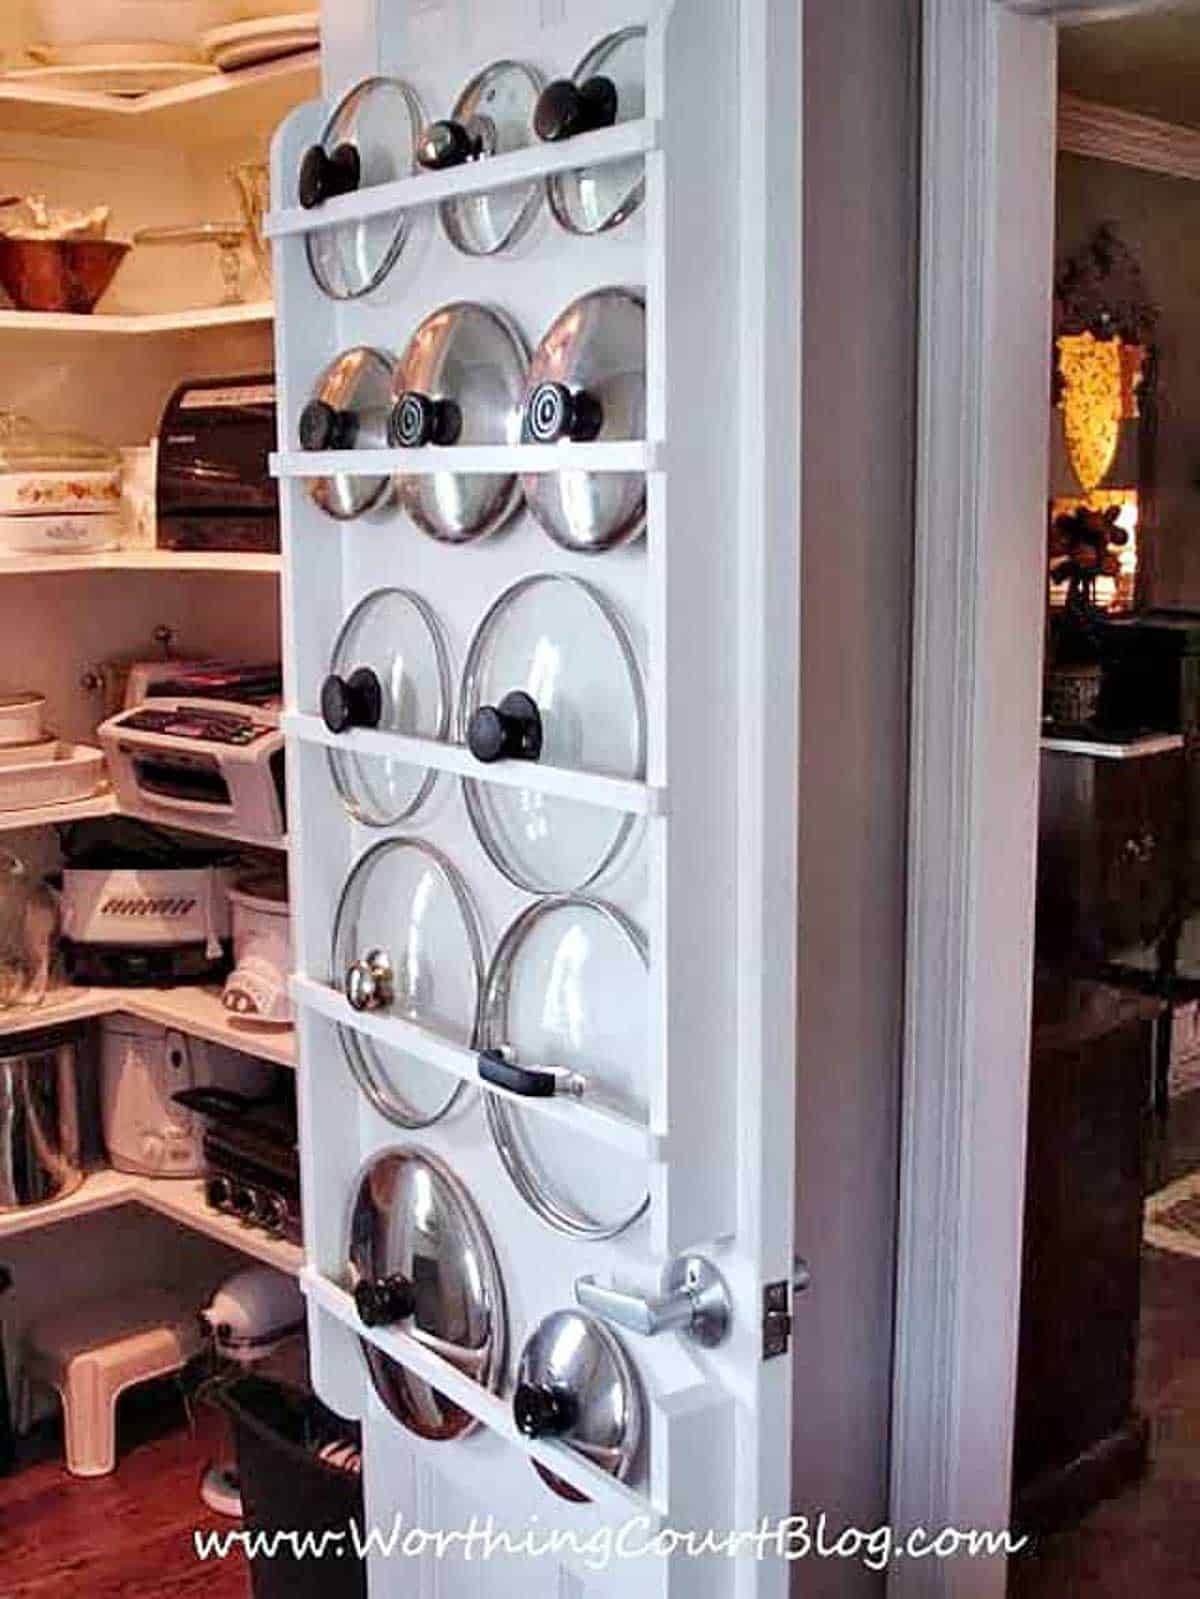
127	1536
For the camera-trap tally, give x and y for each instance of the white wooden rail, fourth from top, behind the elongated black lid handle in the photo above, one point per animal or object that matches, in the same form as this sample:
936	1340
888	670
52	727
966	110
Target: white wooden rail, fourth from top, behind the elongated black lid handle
604	1123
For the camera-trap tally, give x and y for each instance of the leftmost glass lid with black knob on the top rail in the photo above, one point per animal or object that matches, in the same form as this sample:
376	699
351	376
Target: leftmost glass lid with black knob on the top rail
370	140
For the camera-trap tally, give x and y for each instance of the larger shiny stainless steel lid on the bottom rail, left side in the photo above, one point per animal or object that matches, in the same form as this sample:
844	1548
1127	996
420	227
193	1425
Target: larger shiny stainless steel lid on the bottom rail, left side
422	1261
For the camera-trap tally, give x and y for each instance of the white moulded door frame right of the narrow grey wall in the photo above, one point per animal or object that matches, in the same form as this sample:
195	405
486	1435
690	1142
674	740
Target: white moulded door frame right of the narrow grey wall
983	426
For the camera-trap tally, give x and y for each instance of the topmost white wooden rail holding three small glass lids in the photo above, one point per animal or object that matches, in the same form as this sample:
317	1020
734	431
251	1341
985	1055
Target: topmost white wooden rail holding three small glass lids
425	189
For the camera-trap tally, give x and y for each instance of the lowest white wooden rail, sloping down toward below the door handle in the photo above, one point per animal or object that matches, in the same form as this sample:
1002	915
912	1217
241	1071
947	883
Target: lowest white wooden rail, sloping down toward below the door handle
610	1499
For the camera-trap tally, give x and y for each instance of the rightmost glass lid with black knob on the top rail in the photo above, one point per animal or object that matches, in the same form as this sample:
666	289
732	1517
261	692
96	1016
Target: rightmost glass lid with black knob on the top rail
607	87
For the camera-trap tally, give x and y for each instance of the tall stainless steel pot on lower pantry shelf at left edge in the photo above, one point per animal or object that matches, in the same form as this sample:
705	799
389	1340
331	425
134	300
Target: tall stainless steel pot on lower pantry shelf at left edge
39	1120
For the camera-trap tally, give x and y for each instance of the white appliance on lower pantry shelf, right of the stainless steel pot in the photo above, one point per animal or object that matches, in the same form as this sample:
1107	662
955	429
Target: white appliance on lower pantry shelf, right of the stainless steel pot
143	1067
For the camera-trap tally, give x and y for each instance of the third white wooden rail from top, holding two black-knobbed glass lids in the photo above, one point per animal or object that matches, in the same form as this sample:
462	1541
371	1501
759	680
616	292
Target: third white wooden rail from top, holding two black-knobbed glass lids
615	794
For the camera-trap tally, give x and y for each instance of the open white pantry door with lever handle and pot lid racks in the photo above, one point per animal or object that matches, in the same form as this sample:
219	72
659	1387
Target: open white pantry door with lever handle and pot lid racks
708	607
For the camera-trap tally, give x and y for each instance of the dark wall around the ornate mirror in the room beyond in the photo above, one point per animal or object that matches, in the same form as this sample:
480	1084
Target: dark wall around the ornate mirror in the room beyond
1159	218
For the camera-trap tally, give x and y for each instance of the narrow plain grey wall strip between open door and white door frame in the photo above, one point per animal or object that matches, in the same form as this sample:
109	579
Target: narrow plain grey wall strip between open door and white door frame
858	455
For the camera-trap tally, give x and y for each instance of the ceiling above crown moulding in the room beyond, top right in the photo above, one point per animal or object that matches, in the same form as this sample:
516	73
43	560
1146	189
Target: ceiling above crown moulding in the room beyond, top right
1150	65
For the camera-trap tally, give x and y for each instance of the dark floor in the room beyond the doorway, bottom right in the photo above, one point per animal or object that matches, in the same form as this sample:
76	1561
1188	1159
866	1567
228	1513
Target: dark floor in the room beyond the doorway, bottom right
1146	1544
